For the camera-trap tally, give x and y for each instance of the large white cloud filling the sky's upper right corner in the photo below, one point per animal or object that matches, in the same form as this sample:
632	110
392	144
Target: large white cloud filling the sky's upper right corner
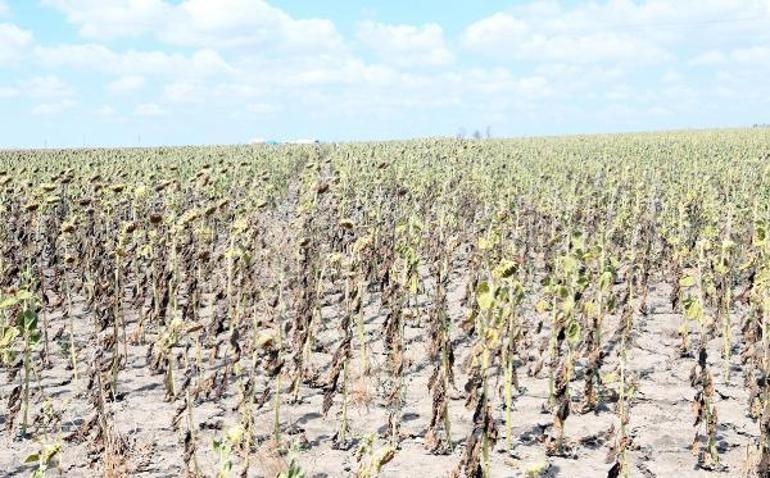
619	31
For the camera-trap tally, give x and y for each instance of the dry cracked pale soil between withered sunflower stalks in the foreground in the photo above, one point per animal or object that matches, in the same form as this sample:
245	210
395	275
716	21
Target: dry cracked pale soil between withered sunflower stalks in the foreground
661	417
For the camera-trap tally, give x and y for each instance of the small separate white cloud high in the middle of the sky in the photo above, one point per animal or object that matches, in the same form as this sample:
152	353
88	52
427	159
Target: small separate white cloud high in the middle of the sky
406	45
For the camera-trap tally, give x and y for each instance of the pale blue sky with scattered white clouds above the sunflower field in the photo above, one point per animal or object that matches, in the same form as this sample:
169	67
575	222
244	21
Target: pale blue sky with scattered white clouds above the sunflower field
162	72
